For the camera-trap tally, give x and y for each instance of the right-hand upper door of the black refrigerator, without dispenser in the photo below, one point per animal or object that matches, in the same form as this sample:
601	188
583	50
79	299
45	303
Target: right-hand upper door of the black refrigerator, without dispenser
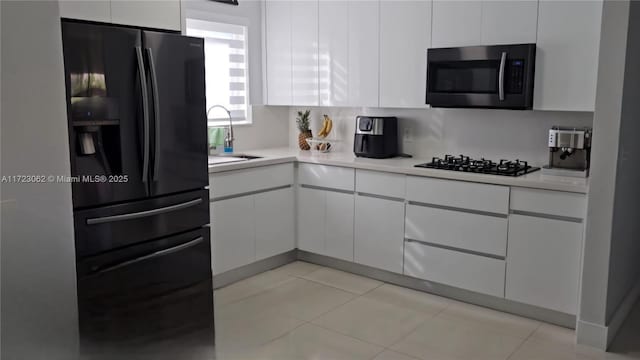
177	81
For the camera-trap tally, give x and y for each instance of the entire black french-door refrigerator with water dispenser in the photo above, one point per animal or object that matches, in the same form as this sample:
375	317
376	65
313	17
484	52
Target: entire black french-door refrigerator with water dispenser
138	151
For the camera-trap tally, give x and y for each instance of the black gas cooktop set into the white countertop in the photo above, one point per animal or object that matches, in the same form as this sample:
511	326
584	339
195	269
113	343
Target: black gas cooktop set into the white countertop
482	166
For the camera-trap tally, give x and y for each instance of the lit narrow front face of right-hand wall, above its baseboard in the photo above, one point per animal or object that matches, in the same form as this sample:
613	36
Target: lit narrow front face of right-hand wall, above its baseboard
604	161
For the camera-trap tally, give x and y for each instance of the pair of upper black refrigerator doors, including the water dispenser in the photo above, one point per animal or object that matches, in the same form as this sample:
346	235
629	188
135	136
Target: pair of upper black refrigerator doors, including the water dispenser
136	111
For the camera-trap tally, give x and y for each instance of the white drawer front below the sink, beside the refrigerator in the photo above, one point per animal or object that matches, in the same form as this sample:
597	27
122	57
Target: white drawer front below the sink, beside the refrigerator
248	180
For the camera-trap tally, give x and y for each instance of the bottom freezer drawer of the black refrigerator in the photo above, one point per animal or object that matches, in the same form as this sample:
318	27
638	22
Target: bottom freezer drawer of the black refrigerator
144	295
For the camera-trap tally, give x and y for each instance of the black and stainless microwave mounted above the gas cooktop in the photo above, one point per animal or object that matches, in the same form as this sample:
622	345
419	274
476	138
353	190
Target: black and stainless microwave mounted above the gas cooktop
499	76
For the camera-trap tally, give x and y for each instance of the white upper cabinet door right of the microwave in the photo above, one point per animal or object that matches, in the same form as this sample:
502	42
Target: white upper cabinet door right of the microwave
567	55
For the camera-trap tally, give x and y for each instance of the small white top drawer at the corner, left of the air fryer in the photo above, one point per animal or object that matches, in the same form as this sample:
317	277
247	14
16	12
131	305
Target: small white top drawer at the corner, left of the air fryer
332	177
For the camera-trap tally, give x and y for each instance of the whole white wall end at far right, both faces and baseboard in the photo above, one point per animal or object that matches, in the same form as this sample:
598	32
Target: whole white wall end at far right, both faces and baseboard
611	271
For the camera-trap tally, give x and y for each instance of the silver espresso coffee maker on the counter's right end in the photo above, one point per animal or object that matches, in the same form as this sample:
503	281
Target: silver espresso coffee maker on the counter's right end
569	152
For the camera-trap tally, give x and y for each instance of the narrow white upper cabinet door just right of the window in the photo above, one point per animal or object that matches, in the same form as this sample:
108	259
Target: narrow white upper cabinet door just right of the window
278	54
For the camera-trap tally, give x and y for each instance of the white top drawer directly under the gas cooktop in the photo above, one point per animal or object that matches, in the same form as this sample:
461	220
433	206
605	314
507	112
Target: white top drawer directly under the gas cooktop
459	194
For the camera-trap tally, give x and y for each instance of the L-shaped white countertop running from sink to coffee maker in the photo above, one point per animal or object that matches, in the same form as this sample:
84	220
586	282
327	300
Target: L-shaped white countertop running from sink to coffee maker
402	166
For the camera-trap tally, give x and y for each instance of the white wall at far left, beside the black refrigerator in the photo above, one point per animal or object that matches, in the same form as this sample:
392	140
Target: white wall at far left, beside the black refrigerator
39	310
